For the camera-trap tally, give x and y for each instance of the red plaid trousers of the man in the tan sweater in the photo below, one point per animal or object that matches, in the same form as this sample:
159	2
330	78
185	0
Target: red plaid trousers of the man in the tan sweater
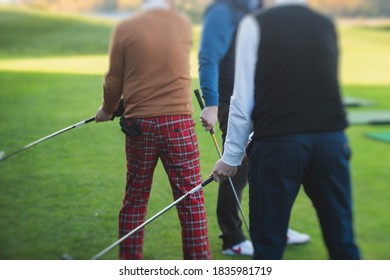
173	140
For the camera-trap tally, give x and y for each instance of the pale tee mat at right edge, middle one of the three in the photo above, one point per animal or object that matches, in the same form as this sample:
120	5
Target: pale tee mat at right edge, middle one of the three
368	117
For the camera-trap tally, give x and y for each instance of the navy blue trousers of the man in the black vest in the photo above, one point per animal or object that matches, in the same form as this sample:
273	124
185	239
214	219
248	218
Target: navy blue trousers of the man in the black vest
278	167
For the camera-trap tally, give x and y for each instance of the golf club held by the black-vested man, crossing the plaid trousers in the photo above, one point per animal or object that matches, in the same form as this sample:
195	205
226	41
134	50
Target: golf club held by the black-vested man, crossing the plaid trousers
194	190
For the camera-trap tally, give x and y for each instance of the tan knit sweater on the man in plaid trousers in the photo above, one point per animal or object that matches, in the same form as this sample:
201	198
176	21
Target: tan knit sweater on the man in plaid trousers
149	65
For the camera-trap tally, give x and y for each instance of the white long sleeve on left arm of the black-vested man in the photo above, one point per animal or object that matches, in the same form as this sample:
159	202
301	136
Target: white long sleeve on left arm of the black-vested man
242	100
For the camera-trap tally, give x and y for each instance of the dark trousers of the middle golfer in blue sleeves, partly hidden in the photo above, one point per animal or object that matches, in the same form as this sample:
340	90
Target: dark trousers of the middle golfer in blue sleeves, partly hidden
229	220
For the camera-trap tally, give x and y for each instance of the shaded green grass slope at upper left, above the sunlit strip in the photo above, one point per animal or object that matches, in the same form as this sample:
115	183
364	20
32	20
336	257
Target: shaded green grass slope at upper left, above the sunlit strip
58	34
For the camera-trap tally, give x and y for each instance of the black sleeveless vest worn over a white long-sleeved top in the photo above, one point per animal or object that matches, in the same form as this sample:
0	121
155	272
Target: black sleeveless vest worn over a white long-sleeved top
296	82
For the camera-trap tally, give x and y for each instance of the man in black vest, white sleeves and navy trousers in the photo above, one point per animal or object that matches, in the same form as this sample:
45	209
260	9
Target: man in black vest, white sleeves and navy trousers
286	86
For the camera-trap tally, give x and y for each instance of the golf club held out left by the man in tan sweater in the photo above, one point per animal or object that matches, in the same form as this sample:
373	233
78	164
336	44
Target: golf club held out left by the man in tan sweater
117	113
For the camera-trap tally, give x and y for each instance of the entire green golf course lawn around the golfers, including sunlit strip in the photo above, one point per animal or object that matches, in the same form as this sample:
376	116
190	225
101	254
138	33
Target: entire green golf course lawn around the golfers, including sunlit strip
64	194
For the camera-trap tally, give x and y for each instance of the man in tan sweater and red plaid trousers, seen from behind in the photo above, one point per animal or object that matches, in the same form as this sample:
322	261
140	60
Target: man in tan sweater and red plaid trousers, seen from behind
149	69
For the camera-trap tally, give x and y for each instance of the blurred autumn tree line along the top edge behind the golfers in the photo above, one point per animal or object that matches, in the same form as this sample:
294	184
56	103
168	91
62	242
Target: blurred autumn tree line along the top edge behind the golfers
340	8
